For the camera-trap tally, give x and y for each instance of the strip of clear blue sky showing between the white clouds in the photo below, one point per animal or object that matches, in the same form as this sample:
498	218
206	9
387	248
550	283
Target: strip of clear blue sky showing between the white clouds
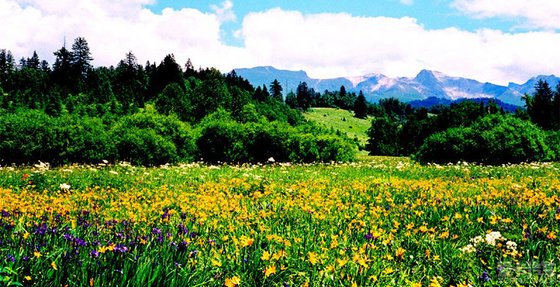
432	14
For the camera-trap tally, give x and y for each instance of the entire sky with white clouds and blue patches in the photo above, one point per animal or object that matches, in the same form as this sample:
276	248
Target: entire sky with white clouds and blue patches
498	41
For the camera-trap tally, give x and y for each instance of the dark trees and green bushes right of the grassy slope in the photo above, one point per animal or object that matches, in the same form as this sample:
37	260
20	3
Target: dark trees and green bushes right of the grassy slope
470	131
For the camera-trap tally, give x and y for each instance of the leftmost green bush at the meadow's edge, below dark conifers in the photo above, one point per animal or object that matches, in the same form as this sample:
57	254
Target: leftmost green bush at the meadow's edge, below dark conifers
31	136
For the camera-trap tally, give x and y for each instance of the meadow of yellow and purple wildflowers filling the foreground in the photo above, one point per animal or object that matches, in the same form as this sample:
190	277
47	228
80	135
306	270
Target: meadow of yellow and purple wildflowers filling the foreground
380	222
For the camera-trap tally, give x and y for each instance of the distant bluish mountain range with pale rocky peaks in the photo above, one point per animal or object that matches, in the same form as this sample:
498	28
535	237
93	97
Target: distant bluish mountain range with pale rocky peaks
427	84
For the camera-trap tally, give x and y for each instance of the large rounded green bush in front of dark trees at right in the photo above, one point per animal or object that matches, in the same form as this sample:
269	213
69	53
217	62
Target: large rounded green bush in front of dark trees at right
493	139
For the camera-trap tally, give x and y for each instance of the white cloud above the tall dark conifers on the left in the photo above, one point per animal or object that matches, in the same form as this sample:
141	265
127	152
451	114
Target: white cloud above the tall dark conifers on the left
113	28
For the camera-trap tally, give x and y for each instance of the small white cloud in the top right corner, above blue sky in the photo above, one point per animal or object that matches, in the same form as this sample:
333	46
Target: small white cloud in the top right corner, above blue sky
534	14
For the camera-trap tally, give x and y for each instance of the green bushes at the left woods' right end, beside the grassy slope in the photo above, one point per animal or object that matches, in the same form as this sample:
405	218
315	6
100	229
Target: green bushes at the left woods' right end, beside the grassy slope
224	140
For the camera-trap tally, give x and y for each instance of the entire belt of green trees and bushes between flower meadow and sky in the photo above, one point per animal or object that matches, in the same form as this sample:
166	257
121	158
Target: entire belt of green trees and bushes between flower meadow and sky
158	113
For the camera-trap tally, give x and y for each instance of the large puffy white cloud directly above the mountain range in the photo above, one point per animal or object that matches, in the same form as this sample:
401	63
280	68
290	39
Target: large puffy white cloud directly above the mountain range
328	45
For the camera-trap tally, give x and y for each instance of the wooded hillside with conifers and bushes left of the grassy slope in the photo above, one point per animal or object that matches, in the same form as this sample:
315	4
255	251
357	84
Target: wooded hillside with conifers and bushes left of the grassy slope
72	112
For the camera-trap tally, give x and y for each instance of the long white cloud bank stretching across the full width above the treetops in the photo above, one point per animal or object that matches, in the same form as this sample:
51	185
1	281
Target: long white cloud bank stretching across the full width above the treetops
325	45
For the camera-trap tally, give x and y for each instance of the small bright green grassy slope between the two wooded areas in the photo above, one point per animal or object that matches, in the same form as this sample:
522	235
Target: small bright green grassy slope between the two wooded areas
341	120
